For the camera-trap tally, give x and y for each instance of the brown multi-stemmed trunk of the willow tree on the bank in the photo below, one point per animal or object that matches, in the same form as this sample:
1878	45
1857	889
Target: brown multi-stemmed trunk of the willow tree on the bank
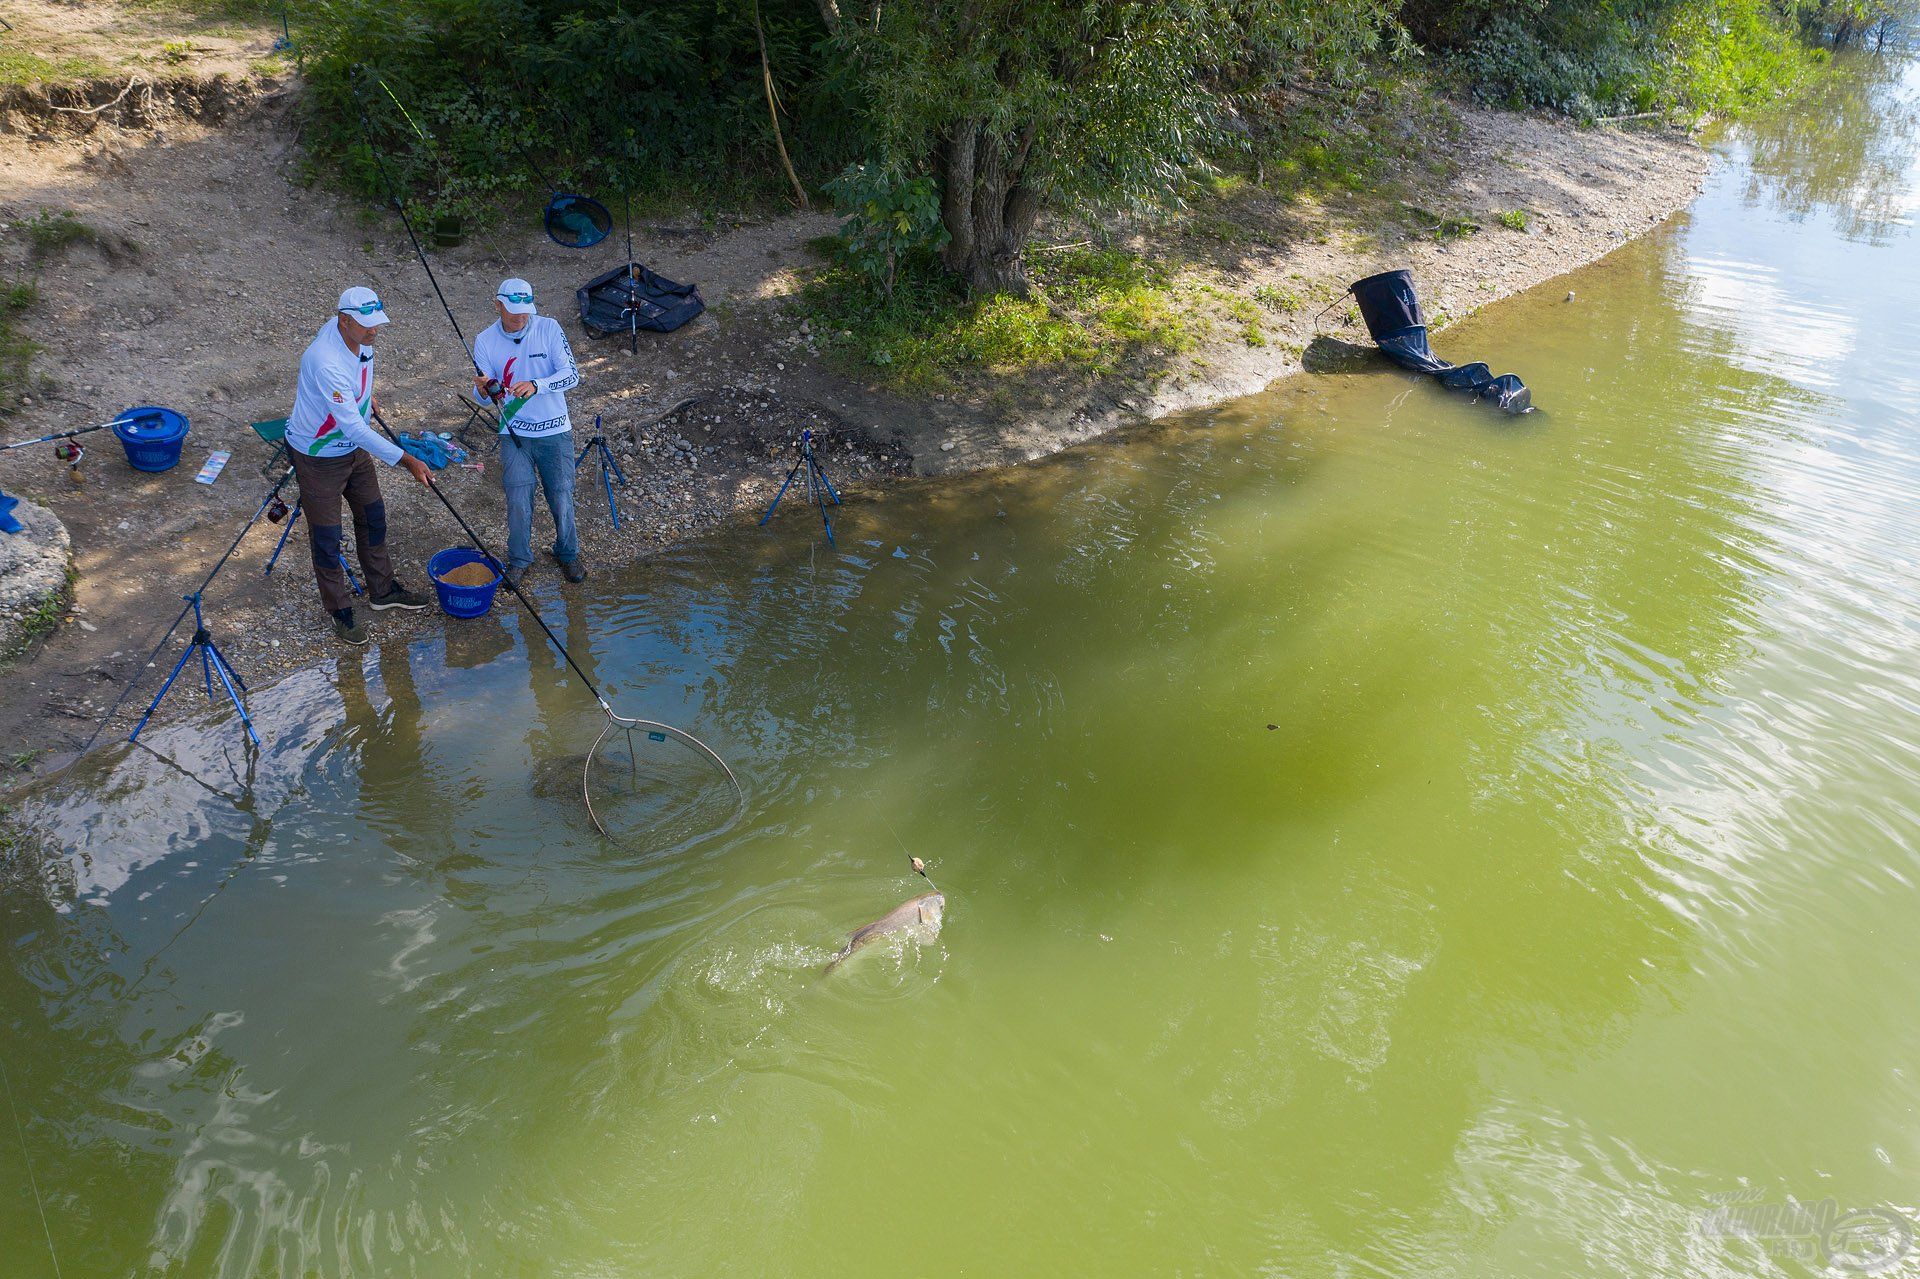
988	208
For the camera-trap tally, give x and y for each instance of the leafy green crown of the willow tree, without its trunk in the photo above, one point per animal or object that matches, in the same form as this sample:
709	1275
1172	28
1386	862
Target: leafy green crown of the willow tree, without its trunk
1107	107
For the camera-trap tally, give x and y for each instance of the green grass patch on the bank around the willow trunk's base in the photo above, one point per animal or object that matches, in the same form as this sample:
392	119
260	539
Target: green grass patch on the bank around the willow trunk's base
1105	304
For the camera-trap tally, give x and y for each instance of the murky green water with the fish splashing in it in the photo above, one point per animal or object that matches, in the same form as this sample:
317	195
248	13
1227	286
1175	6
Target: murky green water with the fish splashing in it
1380	840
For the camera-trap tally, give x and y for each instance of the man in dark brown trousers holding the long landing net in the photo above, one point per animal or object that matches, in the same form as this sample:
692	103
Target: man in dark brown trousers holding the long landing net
333	443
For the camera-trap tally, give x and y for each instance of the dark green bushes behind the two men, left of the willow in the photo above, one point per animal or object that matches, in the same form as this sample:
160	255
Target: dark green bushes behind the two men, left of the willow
661	99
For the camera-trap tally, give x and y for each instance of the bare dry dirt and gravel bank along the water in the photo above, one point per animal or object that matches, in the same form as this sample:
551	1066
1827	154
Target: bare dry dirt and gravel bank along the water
214	266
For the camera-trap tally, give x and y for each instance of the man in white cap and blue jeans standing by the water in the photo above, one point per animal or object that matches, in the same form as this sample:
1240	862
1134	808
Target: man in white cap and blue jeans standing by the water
525	372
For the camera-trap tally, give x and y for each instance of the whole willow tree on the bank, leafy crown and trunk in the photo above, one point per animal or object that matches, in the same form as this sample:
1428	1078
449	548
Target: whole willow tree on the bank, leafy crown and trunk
1022	107
